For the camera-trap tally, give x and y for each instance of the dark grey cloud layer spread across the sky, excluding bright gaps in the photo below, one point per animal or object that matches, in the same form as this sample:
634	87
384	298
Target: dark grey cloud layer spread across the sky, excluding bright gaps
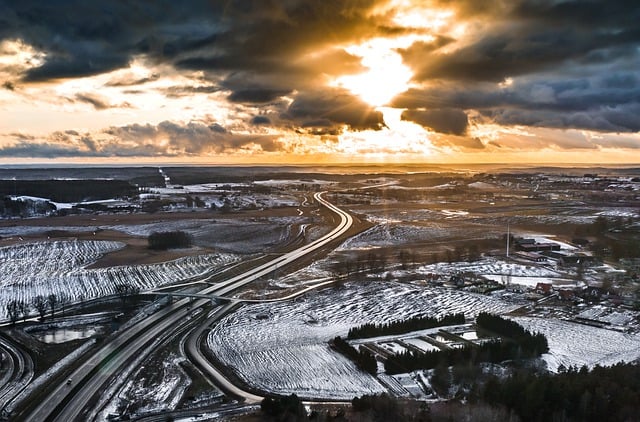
571	64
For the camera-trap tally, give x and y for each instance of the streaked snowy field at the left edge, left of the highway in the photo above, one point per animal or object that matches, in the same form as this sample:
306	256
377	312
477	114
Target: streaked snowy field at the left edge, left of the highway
58	268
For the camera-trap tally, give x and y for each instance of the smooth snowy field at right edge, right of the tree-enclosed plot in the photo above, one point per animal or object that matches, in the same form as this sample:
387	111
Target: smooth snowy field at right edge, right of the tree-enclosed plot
572	344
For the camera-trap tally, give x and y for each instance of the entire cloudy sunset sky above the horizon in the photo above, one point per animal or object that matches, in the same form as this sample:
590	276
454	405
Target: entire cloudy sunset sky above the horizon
316	81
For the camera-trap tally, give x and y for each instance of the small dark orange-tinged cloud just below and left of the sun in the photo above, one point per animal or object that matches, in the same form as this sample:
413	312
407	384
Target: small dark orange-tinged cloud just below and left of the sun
333	107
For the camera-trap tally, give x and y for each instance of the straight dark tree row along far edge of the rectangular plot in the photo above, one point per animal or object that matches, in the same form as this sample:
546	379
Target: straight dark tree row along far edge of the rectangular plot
404	326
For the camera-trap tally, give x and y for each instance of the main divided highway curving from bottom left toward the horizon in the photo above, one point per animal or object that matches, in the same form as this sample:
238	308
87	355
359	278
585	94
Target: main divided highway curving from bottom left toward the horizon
67	402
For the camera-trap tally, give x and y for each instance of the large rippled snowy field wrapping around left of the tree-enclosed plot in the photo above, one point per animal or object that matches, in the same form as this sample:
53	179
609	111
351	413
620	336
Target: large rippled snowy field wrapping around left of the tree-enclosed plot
282	347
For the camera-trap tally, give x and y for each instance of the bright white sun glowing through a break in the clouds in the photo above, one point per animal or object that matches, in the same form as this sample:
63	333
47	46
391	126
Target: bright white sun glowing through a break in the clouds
386	77
